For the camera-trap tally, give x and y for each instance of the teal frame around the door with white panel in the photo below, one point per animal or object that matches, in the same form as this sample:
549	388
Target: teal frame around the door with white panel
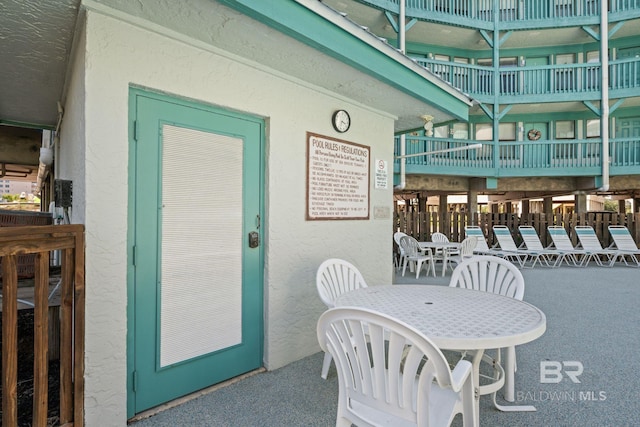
134	93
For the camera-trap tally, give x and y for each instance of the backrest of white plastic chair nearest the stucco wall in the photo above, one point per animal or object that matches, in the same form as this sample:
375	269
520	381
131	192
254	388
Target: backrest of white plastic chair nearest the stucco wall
335	277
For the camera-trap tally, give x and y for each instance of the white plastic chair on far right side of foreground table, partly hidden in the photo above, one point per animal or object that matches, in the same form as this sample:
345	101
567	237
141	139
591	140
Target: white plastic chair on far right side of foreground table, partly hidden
499	276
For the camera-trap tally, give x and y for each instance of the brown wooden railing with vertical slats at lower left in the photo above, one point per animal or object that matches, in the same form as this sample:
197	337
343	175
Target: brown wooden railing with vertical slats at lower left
40	241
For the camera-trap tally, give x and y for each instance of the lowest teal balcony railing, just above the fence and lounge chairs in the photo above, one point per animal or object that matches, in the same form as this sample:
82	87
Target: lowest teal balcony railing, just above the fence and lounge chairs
576	157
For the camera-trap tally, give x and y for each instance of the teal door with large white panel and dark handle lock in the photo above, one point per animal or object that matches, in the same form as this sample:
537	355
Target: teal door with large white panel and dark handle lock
195	277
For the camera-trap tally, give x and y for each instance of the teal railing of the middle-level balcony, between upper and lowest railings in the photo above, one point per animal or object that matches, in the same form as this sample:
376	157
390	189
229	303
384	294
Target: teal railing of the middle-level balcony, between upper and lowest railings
537	84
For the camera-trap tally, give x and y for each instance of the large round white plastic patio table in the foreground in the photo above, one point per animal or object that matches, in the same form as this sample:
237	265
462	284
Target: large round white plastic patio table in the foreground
459	319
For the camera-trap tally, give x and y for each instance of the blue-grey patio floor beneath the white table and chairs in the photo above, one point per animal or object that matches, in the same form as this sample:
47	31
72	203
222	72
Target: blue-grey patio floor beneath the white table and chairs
592	322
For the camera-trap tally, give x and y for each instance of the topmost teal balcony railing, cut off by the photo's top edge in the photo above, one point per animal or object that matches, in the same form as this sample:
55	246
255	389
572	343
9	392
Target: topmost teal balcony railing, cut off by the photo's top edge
512	14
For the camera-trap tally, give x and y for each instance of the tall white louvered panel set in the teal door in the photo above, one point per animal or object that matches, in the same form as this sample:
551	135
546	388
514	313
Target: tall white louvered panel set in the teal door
201	259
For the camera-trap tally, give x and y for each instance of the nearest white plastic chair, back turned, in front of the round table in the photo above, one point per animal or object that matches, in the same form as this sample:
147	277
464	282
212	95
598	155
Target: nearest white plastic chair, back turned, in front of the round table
382	375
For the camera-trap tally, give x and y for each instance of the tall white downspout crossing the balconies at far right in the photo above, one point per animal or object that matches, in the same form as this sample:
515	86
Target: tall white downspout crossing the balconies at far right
604	103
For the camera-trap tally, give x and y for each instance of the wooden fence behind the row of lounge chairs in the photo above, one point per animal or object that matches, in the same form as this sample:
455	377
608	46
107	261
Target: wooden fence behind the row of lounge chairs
422	225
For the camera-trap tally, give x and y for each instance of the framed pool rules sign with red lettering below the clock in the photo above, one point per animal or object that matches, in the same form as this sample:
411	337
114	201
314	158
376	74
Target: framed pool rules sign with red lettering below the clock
337	179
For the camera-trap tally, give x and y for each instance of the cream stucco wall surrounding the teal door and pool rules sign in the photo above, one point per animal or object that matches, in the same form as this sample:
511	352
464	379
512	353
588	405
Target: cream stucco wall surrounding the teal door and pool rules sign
119	54
